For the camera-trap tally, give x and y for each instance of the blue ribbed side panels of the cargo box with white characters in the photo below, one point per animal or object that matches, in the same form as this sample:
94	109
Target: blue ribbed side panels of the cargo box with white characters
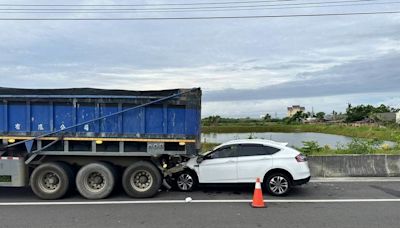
35	116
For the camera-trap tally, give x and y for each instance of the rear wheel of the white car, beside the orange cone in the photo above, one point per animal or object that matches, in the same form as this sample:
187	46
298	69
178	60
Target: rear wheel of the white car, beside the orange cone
278	184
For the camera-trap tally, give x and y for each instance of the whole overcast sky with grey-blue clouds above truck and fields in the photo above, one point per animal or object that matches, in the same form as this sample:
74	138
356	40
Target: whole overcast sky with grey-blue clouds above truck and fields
245	67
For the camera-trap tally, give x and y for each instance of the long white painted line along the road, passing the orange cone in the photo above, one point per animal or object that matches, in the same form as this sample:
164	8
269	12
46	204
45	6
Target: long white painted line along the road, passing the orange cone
55	203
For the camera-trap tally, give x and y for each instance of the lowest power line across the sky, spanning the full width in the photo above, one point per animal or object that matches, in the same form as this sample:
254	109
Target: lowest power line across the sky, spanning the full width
201	18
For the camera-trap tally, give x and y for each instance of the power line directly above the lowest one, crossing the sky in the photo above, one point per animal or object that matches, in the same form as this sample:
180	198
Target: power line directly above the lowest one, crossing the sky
207	10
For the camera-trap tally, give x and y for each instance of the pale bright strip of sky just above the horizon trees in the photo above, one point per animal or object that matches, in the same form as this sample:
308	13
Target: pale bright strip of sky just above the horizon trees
278	107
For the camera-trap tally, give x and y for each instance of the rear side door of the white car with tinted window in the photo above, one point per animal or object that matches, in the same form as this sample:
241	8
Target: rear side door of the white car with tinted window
254	160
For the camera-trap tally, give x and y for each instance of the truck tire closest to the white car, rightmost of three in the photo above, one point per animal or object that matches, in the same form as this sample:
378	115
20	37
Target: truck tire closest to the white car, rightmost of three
141	180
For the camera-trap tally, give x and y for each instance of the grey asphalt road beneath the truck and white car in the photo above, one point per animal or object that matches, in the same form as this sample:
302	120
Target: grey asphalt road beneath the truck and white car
327	204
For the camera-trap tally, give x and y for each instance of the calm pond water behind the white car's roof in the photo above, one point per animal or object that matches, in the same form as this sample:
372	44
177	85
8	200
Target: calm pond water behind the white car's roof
294	139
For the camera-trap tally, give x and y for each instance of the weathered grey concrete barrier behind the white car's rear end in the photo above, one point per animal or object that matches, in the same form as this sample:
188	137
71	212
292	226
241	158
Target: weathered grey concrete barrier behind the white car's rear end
355	166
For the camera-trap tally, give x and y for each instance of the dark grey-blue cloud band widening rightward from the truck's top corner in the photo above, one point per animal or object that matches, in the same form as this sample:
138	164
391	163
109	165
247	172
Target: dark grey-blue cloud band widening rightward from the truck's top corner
361	76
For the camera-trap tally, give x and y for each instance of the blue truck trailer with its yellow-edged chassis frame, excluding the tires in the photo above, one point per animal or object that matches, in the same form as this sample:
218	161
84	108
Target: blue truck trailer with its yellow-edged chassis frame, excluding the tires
82	126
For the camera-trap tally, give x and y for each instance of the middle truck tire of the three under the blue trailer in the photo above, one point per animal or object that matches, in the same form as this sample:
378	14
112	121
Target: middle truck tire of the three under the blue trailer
96	180
